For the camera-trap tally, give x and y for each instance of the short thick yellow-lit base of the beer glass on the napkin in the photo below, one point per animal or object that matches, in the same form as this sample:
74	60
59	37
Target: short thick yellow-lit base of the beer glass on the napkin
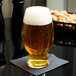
37	61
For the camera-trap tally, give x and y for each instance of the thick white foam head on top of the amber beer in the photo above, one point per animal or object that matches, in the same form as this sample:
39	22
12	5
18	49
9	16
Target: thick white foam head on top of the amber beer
37	15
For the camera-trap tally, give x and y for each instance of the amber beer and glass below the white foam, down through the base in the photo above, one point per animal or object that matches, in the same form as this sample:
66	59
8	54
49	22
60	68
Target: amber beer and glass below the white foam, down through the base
37	40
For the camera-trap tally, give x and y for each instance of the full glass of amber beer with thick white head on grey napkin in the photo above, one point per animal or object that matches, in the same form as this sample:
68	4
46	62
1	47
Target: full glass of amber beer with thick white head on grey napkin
37	35
